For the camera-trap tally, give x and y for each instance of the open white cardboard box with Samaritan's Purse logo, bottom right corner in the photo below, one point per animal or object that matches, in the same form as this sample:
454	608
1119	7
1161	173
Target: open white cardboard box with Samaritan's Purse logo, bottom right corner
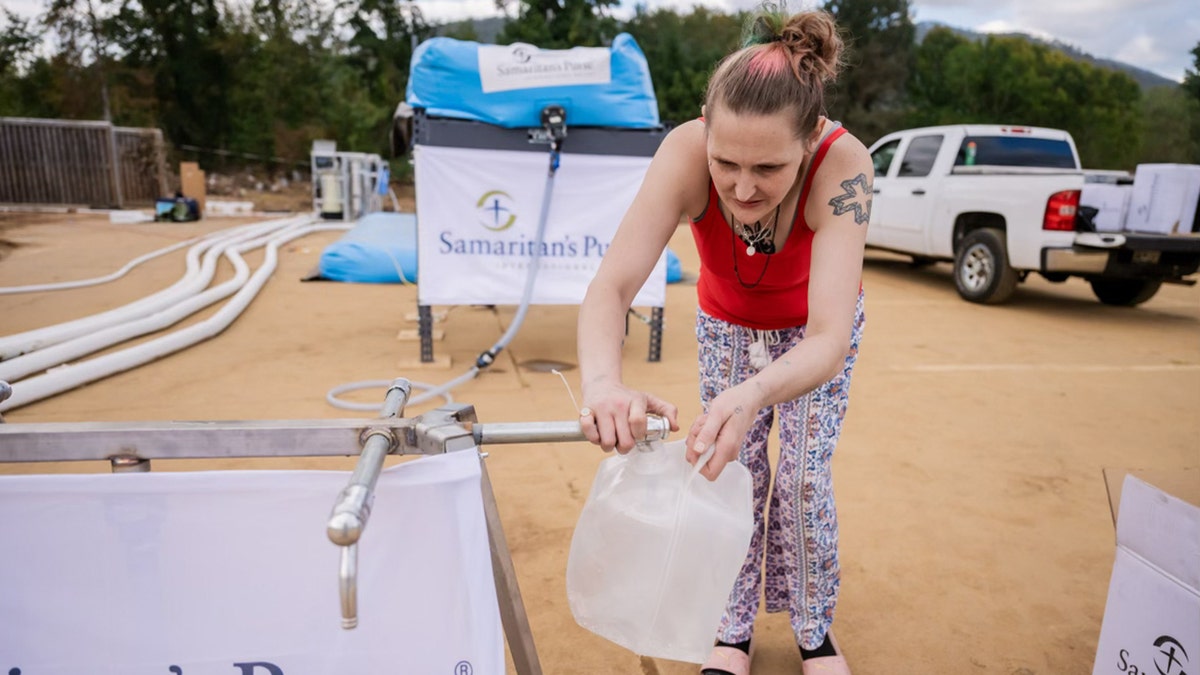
1153	618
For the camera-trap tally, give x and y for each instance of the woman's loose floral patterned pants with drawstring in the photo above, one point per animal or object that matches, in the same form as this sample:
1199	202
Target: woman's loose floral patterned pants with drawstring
801	537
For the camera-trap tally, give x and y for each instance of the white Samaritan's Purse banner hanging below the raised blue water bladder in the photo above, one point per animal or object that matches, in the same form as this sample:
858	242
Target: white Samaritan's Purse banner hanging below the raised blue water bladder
477	225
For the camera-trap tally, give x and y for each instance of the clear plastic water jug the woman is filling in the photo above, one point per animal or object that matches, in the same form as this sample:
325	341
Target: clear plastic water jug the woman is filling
657	552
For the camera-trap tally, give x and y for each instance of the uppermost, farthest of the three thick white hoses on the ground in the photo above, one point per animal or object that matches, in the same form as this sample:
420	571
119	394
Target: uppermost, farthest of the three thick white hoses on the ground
196	279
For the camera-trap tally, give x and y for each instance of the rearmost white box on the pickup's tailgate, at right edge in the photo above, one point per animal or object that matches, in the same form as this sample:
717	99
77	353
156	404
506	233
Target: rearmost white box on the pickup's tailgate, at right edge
1165	200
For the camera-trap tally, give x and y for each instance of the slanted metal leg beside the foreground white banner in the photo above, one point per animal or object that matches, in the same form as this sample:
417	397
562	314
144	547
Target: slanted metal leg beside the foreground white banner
513	614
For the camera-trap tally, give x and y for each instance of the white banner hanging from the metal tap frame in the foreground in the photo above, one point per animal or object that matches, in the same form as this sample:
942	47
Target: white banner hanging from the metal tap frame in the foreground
231	574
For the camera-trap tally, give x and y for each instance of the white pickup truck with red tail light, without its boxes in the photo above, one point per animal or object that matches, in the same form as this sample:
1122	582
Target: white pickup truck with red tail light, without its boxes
1001	202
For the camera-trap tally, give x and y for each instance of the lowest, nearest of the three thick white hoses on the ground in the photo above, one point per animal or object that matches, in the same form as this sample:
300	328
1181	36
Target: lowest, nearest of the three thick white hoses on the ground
69	378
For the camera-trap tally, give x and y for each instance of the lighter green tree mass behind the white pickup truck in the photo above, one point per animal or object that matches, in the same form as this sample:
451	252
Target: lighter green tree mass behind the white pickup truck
1012	81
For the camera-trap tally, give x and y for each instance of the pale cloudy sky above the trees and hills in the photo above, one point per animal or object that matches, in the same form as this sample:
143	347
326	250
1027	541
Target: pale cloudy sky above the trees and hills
1156	35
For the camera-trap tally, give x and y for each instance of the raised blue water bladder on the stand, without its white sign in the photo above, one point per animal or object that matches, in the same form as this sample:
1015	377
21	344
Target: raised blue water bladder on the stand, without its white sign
446	82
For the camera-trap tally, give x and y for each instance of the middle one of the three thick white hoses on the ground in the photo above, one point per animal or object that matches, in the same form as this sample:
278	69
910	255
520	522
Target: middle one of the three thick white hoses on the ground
34	362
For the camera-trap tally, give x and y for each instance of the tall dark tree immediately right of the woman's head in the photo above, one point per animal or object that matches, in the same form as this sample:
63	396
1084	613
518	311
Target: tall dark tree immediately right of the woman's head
871	94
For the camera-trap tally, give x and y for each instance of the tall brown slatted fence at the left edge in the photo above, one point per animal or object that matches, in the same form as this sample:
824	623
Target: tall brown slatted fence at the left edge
91	164
